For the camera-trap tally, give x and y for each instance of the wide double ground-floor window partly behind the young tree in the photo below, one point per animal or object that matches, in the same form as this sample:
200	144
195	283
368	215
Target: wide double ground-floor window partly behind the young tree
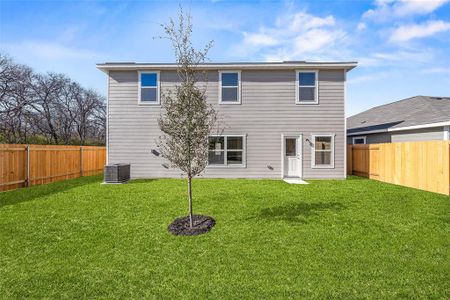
226	150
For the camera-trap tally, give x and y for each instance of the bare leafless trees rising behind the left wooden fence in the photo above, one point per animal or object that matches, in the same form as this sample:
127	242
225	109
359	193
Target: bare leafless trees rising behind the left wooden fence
48	108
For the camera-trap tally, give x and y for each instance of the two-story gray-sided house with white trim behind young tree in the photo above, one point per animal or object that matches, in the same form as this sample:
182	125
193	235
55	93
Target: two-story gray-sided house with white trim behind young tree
284	119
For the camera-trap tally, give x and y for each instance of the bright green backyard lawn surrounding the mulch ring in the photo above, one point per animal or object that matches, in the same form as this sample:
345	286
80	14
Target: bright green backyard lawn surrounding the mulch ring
331	239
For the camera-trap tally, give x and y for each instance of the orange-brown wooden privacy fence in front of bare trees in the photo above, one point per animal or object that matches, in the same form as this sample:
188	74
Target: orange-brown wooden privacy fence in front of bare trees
26	165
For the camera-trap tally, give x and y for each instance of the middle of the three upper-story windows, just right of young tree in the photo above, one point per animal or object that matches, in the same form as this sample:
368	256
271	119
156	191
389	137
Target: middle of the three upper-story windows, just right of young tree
230	87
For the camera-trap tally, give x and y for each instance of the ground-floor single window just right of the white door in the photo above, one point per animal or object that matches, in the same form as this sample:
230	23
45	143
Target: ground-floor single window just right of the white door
323	151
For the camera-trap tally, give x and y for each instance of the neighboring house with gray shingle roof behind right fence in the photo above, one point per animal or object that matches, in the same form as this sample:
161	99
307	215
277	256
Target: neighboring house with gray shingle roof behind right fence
419	118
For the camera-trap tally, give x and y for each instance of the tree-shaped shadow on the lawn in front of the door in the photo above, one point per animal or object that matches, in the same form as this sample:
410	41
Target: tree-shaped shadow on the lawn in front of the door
298	212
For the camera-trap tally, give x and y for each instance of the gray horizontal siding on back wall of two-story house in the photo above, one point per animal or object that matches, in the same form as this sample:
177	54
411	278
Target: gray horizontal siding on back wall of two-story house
268	110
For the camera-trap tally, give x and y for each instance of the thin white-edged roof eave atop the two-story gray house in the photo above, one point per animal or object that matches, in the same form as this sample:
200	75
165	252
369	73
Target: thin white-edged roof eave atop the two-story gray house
229	65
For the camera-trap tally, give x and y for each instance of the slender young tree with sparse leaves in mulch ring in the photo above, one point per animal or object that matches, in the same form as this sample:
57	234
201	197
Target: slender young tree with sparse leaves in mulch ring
186	118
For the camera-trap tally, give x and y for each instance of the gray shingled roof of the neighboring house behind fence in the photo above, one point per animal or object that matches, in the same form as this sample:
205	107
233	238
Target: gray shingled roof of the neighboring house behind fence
411	113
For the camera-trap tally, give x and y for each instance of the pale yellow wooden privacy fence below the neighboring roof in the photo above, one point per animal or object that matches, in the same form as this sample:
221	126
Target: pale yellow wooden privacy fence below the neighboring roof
420	165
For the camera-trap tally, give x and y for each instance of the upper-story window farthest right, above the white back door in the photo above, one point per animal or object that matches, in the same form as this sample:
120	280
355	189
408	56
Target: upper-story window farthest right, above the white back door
307	87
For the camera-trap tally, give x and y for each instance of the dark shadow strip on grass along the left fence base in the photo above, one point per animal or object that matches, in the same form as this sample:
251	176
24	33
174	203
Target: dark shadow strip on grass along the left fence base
39	191
